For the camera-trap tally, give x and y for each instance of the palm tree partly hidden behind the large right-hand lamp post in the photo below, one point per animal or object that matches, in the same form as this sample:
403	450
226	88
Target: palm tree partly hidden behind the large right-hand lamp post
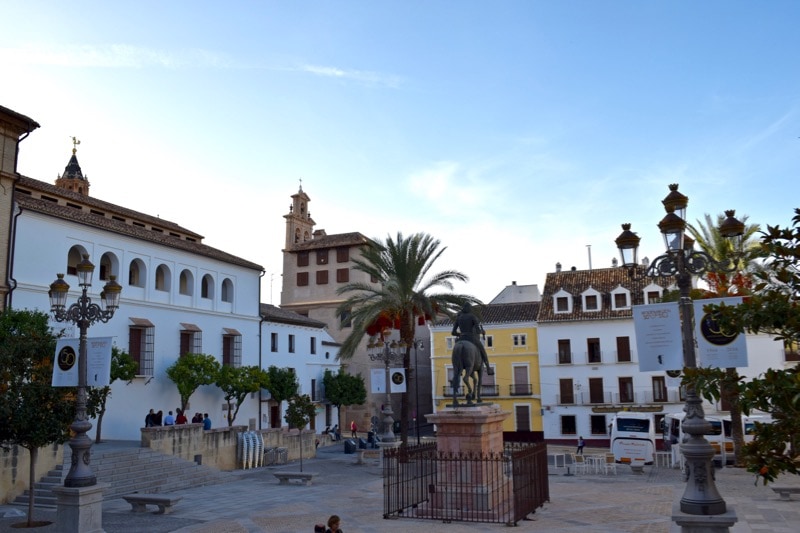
743	253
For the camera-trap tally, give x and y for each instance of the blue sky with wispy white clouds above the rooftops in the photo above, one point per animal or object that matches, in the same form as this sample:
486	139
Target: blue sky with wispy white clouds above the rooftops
520	134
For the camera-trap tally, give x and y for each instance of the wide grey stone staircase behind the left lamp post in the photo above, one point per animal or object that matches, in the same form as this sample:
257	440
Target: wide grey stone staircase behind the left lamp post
130	469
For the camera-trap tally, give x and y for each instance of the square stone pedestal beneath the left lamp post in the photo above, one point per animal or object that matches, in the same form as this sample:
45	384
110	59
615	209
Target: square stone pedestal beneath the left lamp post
80	509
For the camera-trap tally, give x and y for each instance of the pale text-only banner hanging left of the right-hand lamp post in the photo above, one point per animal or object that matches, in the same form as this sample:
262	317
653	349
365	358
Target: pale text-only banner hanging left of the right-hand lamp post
658	337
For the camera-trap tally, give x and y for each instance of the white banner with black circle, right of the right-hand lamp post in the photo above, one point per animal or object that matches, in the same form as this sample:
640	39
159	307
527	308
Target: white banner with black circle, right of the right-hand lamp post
715	348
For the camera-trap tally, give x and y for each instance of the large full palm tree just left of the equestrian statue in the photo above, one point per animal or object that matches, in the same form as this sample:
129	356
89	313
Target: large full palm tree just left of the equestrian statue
405	290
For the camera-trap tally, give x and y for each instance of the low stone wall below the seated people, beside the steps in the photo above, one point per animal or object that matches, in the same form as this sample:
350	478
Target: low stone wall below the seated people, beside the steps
218	447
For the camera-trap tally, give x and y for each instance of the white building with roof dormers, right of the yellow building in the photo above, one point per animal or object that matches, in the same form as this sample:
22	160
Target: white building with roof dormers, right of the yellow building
588	359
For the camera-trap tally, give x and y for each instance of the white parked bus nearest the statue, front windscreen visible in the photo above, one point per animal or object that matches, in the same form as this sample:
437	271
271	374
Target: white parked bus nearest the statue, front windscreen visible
633	437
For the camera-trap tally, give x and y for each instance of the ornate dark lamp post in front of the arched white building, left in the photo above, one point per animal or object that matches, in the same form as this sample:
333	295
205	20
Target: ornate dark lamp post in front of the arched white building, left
83	313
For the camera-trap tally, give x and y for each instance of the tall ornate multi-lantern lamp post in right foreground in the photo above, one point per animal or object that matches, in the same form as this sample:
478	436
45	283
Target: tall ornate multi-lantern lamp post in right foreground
682	262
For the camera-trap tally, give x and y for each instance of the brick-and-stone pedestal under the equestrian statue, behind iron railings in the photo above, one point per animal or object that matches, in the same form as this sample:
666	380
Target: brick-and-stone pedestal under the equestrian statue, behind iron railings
471	482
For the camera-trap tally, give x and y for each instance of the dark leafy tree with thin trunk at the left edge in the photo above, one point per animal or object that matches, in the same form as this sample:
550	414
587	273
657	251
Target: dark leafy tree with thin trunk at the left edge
33	413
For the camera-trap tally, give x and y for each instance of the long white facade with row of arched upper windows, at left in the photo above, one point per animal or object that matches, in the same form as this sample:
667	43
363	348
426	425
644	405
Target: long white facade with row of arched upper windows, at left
42	249
